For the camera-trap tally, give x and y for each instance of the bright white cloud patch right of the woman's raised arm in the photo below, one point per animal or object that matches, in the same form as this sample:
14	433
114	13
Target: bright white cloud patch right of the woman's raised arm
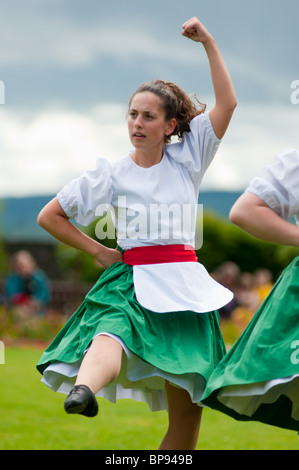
256	134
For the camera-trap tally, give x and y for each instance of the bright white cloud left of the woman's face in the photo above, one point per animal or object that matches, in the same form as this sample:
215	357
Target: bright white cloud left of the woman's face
41	152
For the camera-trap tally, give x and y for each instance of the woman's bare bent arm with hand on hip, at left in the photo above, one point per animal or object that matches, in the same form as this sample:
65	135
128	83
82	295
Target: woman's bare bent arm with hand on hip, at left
53	219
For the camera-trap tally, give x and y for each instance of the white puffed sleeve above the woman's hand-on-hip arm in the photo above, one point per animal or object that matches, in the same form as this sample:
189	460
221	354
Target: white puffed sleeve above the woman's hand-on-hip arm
80	197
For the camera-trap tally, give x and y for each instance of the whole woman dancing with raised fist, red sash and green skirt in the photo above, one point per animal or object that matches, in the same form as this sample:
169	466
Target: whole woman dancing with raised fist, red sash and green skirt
148	329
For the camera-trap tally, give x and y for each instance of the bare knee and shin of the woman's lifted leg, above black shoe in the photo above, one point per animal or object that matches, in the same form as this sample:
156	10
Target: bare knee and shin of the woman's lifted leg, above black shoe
101	363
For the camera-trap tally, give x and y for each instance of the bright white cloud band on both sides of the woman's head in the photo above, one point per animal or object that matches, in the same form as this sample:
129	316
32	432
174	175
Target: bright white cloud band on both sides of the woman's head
42	152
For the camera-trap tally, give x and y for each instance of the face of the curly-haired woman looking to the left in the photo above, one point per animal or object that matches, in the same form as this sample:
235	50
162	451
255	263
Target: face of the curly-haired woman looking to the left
146	123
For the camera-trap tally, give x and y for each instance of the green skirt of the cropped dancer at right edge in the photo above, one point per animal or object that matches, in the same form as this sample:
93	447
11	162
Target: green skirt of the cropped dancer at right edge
259	377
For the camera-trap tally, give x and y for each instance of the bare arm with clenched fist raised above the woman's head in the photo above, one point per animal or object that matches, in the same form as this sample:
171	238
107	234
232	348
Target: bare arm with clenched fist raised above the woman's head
225	95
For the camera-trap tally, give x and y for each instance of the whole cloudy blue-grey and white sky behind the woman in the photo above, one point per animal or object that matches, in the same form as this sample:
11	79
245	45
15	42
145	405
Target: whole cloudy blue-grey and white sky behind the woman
68	68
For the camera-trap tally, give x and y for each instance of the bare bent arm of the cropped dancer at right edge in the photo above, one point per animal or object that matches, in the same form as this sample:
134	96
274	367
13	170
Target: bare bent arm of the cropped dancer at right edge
255	217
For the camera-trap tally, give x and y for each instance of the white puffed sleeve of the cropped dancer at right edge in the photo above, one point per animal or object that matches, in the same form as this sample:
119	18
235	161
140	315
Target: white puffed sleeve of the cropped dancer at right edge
278	185
